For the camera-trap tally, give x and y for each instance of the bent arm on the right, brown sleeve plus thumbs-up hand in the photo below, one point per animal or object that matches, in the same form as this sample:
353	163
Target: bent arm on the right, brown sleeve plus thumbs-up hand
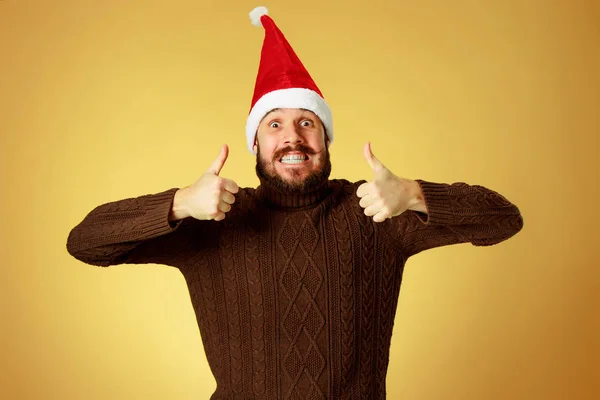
420	215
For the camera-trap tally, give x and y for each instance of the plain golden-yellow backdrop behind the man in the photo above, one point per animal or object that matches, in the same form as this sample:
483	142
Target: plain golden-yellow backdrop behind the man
103	100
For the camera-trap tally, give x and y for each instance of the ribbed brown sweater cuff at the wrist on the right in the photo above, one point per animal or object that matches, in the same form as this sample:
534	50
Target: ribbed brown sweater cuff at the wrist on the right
437	202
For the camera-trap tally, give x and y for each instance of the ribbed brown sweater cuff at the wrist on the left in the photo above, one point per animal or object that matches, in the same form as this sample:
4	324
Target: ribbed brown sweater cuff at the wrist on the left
155	221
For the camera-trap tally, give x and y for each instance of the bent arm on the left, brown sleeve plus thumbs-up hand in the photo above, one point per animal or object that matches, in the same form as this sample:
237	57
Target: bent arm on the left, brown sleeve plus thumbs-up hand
143	229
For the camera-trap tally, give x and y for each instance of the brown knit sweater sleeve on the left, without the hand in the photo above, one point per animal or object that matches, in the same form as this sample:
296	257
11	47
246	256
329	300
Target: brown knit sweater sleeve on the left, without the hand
134	230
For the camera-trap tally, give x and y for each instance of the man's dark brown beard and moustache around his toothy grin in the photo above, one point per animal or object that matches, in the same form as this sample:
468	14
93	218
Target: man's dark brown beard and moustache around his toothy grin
295	186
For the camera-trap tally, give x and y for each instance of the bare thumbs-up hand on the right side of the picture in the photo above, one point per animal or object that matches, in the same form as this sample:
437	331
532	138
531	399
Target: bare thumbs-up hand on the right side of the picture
386	195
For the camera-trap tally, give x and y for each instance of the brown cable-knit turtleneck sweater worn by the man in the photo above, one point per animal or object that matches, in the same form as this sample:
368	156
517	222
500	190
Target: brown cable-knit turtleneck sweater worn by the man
295	297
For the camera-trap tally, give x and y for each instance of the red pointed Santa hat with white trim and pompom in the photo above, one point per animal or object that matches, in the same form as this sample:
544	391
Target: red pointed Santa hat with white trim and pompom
282	81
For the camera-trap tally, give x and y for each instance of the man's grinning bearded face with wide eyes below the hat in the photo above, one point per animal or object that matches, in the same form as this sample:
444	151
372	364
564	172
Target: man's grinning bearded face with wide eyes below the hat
291	150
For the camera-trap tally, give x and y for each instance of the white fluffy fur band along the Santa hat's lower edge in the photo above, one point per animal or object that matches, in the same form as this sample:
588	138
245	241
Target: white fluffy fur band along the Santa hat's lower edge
288	98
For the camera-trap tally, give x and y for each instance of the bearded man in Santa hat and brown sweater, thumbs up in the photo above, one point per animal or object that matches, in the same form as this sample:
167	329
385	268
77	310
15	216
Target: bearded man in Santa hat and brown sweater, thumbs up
295	283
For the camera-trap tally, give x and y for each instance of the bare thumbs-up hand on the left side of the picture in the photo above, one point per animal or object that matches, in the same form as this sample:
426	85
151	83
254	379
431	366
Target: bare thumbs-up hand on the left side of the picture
209	198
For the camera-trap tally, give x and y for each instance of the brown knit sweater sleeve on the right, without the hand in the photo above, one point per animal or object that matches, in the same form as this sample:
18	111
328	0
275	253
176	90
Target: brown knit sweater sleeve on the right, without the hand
457	213
